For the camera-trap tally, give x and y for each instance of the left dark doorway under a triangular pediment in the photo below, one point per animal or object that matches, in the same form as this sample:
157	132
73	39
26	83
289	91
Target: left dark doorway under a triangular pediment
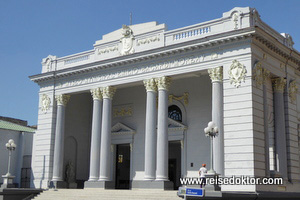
122	166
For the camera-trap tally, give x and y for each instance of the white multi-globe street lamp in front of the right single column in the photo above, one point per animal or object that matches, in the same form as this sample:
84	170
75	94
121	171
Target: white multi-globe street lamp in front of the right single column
211	131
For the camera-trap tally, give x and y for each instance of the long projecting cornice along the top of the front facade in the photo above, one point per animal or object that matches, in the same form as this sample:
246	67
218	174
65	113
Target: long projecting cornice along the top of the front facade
215	40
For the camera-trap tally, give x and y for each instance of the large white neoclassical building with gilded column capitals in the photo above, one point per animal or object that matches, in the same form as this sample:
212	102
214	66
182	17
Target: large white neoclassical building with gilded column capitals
130	113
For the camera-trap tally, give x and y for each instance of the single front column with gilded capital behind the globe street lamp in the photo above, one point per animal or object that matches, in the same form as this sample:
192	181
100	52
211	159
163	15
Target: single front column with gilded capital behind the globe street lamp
216	76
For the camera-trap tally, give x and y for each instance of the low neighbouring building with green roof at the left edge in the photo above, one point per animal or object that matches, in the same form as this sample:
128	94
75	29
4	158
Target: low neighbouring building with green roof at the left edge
22	134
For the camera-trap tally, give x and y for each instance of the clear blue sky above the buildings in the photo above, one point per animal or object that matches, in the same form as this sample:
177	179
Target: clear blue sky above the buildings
30	30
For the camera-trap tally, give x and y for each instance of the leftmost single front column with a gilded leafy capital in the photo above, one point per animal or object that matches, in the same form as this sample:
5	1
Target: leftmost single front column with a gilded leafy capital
62	101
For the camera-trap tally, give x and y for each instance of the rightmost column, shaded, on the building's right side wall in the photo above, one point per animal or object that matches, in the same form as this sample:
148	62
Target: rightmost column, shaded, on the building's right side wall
279	119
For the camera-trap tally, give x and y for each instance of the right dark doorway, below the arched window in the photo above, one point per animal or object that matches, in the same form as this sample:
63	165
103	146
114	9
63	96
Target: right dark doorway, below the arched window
175	163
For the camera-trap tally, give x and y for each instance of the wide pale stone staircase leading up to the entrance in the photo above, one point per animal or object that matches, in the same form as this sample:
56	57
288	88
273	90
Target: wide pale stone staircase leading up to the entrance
95	194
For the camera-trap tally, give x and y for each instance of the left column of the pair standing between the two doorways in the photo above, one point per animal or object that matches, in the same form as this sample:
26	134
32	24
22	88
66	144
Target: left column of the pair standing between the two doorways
150	130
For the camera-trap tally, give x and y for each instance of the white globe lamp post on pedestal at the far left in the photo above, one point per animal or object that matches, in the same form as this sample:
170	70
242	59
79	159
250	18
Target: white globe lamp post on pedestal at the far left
8	178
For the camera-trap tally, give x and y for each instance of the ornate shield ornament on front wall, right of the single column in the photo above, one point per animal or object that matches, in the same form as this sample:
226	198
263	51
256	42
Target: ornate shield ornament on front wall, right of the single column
237	73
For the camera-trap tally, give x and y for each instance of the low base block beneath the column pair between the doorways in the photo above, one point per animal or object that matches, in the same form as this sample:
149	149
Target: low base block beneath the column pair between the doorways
143	184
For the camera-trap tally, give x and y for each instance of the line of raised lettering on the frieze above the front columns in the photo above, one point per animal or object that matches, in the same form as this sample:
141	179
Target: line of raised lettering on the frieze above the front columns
129	72
